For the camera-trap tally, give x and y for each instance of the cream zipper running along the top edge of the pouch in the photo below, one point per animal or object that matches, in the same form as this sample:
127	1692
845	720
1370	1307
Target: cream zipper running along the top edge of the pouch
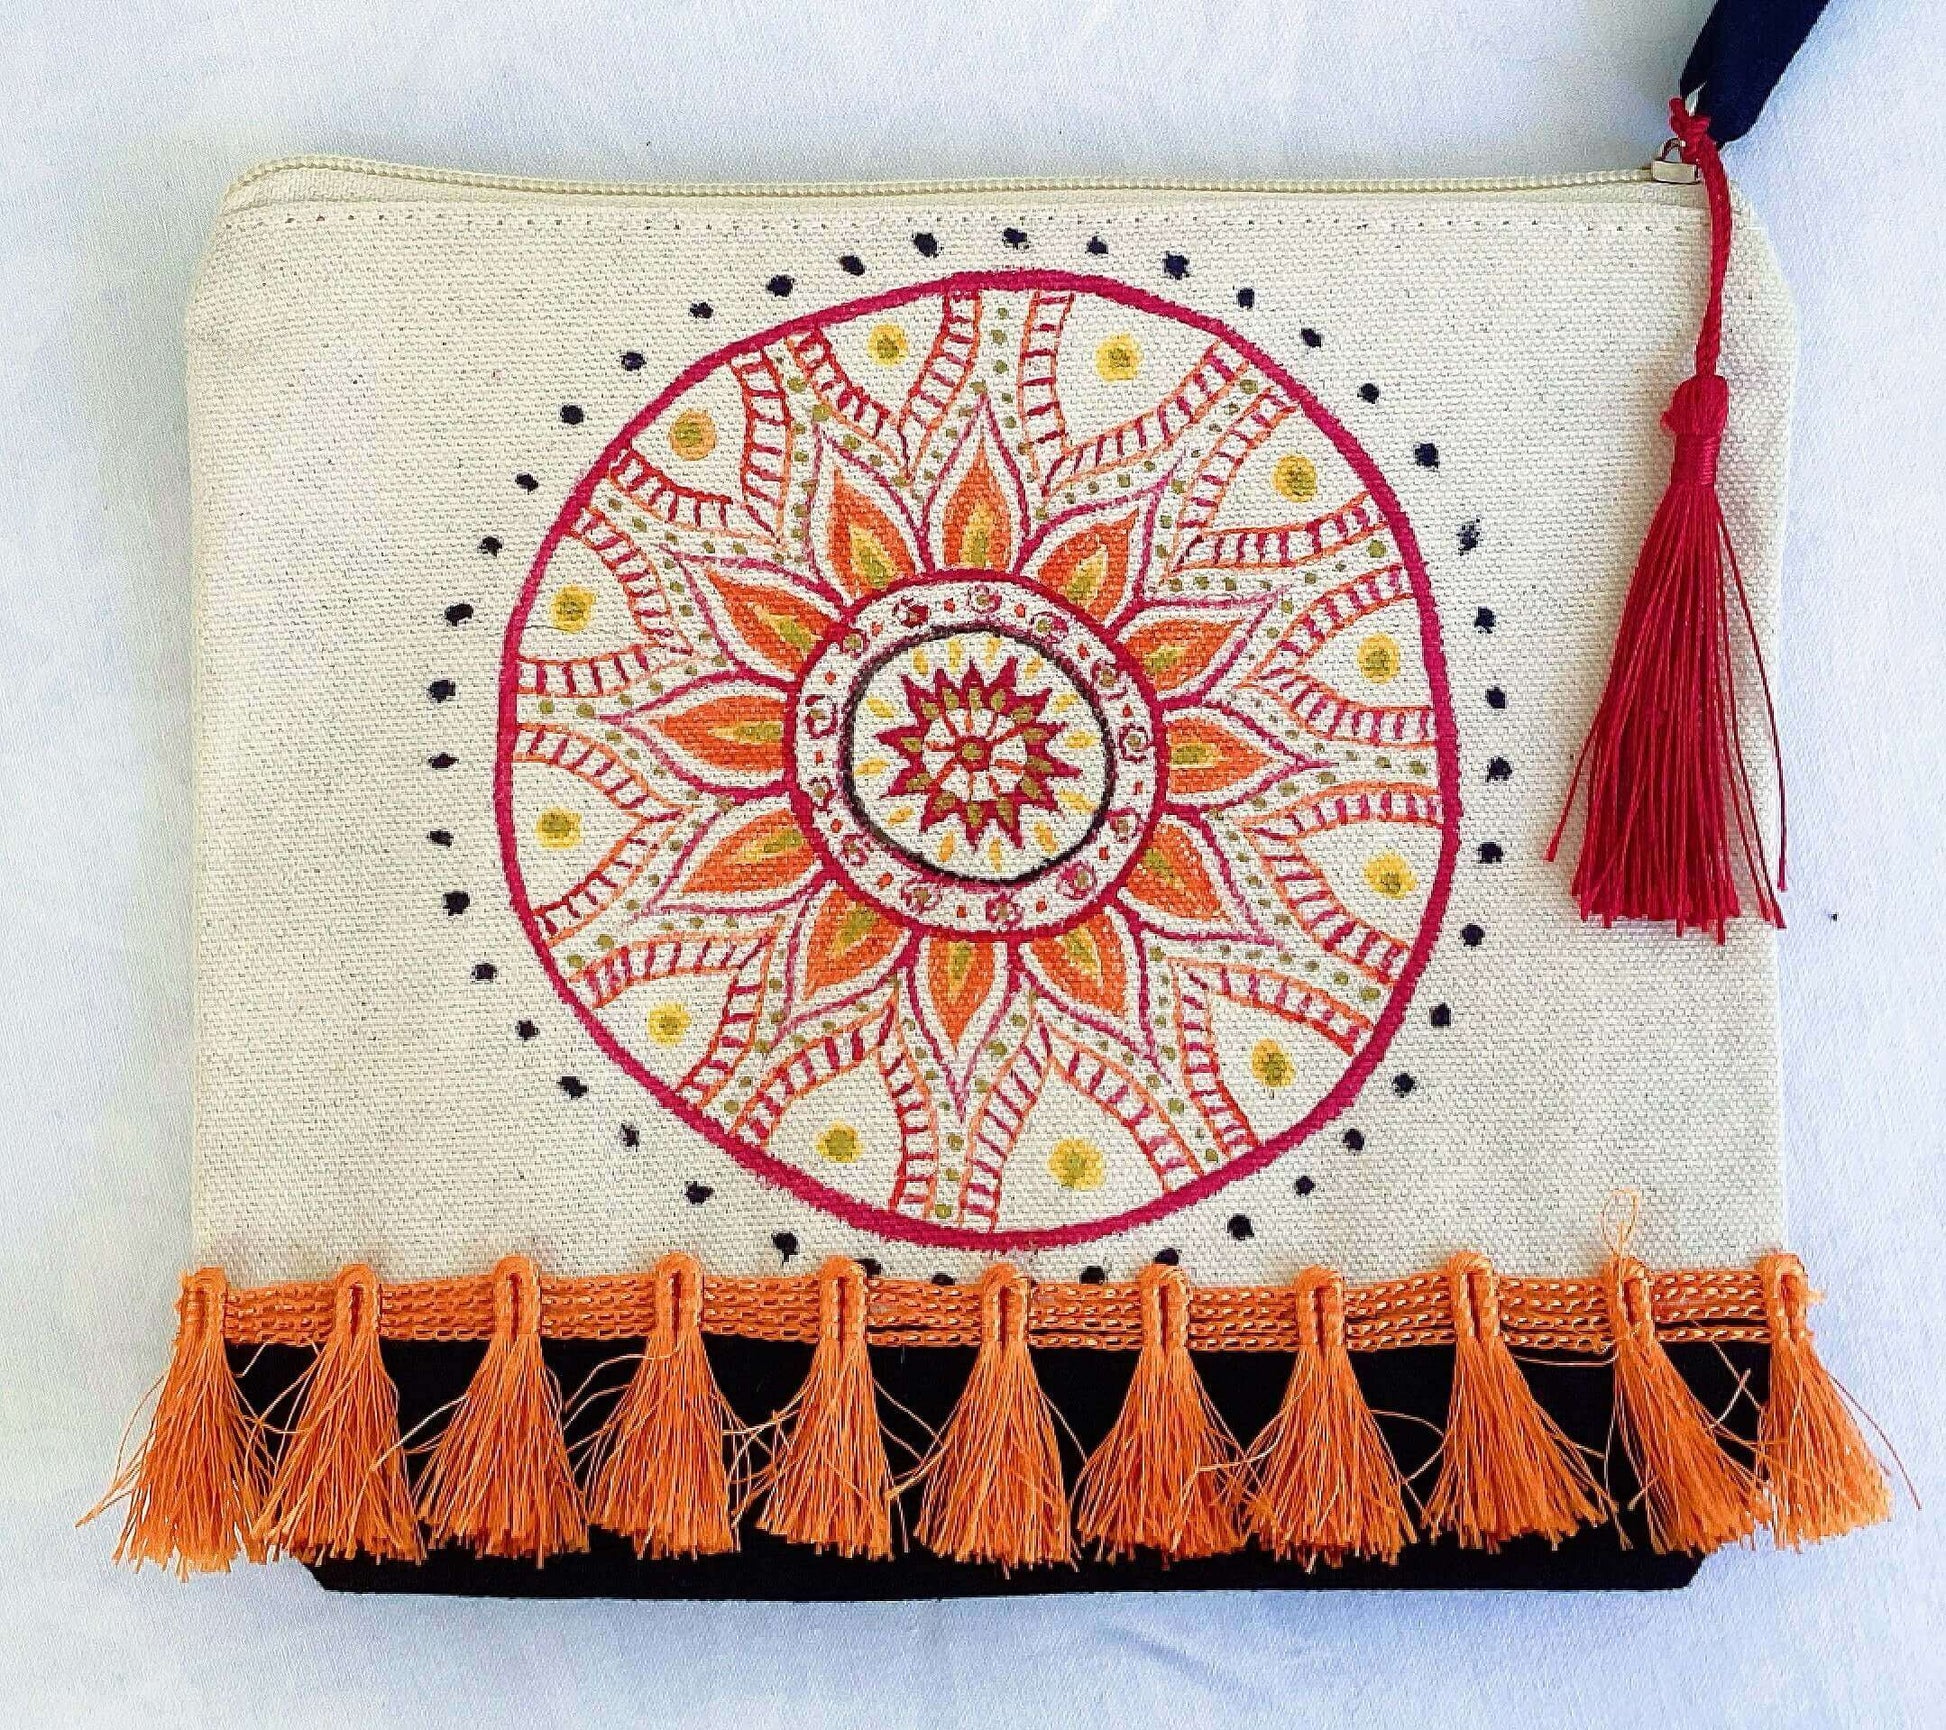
904	190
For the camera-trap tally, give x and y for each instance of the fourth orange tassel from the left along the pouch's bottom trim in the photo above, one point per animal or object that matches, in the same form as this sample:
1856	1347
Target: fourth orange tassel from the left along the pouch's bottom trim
659	1474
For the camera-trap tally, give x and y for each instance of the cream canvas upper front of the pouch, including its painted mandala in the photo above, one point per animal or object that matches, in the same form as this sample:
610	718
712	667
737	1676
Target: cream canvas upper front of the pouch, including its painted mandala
456	456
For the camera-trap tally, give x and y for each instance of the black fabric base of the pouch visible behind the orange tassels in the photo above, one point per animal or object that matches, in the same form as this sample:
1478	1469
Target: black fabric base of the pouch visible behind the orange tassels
1406	1388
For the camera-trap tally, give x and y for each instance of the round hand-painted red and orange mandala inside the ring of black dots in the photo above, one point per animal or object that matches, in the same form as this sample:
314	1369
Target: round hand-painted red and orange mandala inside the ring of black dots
984	758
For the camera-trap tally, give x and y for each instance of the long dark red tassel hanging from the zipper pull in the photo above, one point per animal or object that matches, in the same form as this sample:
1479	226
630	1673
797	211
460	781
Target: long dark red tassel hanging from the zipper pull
1671	812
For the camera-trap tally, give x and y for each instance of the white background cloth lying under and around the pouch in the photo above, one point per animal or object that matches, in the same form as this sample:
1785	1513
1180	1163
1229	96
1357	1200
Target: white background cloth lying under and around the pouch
120	129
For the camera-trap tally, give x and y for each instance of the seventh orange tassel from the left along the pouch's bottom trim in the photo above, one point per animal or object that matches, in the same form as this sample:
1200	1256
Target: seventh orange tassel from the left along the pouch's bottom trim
1169	1474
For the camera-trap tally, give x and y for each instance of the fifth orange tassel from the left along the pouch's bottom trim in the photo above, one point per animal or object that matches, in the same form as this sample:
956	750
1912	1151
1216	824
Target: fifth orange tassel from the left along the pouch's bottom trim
828	1480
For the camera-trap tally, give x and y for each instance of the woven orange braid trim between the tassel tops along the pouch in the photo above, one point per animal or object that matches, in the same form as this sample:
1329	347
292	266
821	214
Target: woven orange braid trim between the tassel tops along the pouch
1538	1315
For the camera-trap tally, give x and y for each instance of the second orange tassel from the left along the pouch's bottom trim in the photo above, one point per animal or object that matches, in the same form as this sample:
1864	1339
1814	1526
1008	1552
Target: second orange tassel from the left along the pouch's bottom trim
340	1488
